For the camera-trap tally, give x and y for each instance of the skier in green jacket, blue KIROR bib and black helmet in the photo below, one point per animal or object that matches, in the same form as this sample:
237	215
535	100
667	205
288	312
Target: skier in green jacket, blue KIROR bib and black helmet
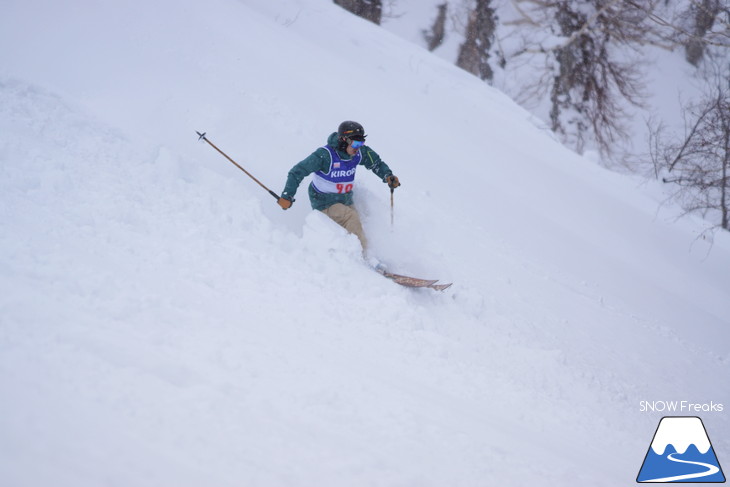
334	168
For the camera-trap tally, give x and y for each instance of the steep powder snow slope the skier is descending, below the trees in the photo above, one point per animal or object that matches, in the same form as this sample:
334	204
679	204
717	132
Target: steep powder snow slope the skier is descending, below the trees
163	322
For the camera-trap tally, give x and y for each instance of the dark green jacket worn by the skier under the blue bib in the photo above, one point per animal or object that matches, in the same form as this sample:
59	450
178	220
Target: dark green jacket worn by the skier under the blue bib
319	160
